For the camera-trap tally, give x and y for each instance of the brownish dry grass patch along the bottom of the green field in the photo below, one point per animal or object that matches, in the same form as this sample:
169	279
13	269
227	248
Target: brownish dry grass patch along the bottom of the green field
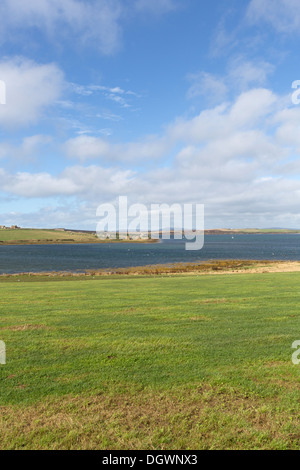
204	418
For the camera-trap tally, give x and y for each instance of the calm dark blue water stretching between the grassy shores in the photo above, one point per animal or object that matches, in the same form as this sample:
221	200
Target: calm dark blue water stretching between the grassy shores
15	259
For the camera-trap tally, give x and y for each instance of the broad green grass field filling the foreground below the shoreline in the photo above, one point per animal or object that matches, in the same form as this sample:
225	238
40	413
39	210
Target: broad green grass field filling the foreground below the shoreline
183	362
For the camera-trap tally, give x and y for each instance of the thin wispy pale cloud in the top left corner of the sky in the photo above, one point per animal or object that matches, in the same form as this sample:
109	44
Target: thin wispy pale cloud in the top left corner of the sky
92	22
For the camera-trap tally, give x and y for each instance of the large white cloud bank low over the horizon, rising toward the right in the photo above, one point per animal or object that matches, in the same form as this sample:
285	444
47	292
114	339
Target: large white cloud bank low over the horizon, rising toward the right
239	159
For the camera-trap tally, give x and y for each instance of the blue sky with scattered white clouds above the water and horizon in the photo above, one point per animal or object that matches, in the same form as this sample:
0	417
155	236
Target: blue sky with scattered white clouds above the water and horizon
164	101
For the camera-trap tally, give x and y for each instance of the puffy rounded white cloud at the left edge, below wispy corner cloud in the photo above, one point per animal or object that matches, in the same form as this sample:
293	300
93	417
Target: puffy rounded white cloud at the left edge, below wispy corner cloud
30	88
